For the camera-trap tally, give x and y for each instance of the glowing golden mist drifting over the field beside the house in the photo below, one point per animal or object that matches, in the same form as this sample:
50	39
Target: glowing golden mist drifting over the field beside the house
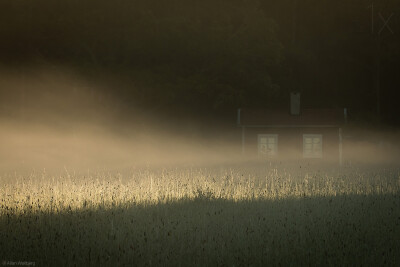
53	118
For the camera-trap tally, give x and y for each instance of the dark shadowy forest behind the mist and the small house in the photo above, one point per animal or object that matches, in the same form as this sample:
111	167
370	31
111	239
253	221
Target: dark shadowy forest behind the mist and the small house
211	57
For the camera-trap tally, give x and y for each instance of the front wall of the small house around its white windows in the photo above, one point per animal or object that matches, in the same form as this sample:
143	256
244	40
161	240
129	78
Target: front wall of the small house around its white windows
290	142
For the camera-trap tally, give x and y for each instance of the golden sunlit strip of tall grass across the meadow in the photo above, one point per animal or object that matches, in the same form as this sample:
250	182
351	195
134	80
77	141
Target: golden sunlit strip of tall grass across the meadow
57	194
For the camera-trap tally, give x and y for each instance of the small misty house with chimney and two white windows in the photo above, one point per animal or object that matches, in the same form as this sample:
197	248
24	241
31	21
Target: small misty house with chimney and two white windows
312	134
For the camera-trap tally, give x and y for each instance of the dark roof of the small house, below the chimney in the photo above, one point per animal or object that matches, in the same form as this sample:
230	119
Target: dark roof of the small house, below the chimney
282	118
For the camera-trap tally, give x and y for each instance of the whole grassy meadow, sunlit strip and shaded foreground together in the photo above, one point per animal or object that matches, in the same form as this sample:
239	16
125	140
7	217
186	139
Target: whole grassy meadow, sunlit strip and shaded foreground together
233	215
